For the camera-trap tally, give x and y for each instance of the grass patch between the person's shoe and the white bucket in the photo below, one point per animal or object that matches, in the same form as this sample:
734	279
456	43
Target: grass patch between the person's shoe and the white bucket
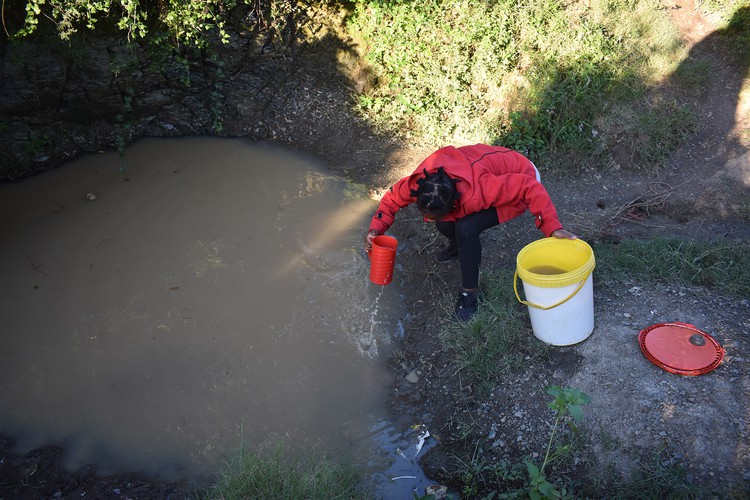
496	340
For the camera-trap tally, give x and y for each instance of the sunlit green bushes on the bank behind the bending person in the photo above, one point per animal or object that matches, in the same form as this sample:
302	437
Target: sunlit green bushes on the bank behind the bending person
544	77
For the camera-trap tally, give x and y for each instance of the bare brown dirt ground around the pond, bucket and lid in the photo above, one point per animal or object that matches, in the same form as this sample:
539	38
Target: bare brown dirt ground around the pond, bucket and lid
638	413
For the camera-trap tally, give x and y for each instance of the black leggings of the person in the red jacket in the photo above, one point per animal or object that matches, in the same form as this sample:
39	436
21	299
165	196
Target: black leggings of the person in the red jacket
464	233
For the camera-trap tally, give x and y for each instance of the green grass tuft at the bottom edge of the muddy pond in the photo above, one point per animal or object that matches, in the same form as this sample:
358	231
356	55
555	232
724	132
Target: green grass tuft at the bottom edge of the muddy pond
272	473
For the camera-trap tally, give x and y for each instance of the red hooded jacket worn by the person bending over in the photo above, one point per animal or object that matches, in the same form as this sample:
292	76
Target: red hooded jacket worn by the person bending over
489	176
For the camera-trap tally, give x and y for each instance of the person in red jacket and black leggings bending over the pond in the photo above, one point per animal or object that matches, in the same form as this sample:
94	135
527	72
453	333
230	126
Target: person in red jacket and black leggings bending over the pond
465	190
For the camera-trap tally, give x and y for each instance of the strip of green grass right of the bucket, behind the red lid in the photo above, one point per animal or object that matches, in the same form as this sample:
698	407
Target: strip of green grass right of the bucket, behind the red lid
721	265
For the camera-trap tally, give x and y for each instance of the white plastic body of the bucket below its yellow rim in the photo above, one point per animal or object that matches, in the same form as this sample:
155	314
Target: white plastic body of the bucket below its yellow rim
568	323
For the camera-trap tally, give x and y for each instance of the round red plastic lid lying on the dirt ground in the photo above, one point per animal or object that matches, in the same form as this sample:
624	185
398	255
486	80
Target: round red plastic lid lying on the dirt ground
680	348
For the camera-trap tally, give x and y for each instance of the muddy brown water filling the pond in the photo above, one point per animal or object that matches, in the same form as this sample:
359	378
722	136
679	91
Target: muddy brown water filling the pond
217	299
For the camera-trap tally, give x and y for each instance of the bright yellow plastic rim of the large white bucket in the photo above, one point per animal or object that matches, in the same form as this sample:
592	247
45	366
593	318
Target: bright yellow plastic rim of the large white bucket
586	262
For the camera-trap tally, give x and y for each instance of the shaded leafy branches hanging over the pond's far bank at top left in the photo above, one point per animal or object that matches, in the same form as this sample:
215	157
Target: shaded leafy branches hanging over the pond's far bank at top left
152	38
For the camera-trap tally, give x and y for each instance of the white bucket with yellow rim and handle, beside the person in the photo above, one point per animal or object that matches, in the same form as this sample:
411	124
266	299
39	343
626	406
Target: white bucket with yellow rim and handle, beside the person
558	285
